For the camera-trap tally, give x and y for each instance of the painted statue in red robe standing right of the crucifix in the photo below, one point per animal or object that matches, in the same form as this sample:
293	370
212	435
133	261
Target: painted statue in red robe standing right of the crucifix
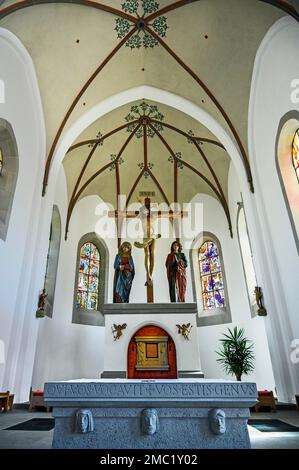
176	264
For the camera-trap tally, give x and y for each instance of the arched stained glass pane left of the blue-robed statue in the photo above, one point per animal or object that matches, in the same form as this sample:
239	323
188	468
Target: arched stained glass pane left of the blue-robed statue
88	280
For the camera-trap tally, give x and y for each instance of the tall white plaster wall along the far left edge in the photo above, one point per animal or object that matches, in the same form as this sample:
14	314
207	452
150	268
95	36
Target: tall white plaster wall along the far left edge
21	106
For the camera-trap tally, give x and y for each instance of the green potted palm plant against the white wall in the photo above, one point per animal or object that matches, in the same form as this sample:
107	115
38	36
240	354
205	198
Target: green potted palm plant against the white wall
236	354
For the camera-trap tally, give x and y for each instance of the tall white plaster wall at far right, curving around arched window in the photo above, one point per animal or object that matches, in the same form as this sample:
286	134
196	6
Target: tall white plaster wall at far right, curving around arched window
277	258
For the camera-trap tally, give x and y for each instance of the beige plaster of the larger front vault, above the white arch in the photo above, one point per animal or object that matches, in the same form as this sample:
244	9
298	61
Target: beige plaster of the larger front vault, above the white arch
217	40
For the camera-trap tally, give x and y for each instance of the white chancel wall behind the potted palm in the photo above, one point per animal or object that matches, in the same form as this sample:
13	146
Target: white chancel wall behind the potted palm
215	222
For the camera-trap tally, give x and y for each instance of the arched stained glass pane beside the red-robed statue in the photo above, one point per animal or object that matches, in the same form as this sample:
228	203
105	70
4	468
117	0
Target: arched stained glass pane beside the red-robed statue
211	277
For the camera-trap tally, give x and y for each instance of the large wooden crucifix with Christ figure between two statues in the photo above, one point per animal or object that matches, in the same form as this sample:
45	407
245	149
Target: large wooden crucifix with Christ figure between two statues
148	215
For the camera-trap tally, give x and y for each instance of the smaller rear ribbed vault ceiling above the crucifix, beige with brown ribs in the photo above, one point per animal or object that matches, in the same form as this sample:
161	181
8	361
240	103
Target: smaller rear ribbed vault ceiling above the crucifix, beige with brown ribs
156	148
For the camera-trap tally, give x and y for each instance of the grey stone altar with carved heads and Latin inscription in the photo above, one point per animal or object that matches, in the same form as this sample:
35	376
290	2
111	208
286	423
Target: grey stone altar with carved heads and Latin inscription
180	414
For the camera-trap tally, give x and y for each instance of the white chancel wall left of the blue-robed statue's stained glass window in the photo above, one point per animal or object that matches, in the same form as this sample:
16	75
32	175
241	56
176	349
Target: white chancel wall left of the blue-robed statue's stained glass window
66	350
